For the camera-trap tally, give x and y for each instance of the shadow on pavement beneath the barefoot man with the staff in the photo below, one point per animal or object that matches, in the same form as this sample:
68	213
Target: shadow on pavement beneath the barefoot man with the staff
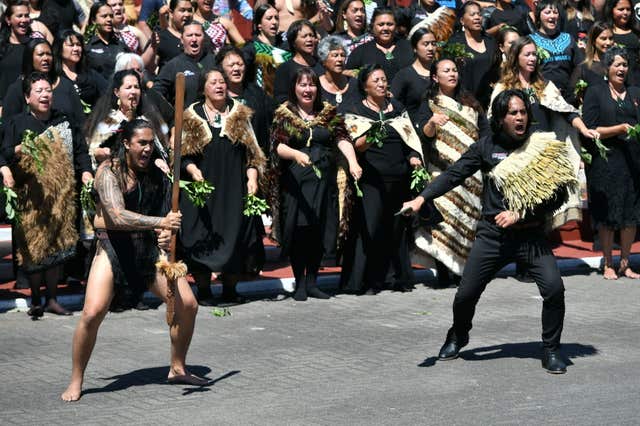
157	376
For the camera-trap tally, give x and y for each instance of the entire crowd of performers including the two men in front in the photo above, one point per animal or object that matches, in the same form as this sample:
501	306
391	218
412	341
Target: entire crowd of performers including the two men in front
335	129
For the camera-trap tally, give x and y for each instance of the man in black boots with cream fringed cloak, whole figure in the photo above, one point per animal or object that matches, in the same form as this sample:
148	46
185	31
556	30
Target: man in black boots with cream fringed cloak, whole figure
525	178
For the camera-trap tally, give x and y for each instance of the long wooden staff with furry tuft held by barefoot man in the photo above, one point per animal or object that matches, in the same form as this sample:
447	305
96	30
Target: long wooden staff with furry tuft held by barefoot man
169	267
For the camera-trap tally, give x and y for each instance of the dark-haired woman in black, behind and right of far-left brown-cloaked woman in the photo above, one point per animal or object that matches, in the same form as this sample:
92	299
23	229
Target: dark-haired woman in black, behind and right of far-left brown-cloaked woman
70	63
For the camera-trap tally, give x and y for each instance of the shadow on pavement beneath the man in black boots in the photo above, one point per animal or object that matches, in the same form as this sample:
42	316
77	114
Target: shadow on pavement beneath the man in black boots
518	350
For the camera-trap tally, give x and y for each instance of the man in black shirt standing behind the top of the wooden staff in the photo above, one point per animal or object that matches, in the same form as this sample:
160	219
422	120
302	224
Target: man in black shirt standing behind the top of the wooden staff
193	62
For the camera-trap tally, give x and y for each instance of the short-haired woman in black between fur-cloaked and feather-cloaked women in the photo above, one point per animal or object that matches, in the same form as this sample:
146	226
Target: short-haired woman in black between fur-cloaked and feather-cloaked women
239	87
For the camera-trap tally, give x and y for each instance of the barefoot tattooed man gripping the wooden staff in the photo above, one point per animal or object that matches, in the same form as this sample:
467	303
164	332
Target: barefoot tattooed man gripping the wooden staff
128	210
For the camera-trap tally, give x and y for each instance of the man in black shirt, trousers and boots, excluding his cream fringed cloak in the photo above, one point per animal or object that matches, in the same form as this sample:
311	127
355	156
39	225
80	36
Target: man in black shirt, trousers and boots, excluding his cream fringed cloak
502	235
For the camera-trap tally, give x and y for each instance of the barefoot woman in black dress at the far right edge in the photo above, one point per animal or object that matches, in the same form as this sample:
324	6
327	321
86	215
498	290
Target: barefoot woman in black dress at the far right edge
614	181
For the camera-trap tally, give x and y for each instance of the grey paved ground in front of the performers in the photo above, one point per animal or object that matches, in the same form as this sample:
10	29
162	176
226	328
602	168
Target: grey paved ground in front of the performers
350	360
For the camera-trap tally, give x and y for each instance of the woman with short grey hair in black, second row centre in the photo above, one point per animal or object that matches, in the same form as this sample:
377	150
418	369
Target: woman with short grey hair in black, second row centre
335	87
